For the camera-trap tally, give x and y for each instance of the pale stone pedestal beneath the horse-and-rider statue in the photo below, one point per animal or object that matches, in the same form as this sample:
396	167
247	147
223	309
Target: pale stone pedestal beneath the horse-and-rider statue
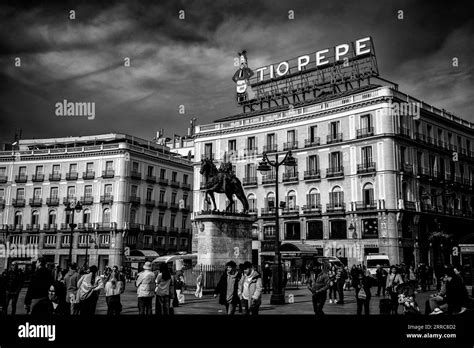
222	238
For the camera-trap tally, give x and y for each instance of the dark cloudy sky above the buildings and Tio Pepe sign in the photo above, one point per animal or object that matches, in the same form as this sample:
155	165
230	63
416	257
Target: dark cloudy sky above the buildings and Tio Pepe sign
189	62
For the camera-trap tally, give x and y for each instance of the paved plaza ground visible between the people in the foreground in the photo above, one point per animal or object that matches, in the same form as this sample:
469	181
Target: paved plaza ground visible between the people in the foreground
208	305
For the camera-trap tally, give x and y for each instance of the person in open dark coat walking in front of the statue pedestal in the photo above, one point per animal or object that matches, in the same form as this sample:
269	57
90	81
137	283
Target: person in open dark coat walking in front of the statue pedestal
228	287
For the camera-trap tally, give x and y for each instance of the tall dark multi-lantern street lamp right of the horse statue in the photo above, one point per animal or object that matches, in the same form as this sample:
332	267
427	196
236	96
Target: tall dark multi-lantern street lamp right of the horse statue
264	166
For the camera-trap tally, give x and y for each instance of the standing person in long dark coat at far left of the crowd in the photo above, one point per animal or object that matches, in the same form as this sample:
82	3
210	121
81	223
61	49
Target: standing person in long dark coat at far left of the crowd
39	285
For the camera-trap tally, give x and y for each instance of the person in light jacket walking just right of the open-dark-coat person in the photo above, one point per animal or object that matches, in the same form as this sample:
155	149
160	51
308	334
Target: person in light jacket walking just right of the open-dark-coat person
250	289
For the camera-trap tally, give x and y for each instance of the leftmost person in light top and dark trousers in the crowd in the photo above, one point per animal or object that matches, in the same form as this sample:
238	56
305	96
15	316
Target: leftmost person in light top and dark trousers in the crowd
89	287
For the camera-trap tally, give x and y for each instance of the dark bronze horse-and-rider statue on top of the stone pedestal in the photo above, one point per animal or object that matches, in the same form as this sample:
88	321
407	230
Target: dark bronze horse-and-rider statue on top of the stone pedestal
222	180
